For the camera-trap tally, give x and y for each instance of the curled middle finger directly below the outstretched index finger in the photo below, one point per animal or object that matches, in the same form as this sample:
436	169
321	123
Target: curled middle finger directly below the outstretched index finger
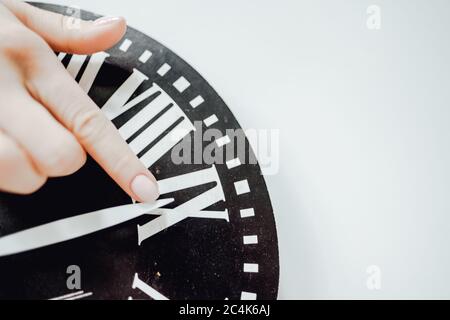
52	148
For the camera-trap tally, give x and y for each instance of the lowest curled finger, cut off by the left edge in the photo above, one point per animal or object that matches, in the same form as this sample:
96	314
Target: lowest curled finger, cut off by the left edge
17	174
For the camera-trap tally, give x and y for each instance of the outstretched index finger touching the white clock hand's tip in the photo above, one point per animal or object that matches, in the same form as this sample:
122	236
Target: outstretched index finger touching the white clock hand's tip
53	86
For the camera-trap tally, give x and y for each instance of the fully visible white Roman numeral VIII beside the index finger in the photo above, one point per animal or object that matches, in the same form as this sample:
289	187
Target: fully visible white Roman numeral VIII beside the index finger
172	117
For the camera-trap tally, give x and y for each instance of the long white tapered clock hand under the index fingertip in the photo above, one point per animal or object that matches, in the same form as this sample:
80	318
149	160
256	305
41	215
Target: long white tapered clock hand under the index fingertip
74	227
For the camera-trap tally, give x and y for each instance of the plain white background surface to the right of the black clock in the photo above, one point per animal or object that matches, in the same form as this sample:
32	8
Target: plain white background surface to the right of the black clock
364	116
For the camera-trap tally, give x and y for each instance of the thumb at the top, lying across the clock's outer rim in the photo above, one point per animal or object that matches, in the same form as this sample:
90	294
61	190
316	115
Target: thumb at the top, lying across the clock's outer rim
69	34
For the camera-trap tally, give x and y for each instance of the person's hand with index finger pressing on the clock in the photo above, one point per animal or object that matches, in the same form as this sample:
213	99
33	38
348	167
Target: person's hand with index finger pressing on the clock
47	123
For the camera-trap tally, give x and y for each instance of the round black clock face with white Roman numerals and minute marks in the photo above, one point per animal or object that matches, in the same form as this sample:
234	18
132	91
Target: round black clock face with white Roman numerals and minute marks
227	250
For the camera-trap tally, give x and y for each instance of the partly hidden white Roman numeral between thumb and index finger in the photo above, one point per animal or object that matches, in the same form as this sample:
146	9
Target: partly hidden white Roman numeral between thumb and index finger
92	69
